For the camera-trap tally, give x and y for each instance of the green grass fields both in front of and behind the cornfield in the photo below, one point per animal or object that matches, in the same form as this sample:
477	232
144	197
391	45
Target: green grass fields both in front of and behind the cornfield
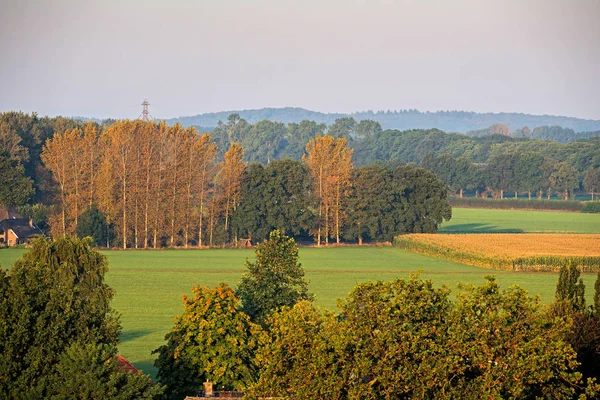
149	284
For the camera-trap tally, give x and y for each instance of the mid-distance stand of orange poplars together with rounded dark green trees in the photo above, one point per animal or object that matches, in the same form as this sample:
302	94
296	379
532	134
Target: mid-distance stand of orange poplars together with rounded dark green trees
140	184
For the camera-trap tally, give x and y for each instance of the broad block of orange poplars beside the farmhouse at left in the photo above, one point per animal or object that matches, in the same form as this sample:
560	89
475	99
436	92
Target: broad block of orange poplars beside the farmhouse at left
151	181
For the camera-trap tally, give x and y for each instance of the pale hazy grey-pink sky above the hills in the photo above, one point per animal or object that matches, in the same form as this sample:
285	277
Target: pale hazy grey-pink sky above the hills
102	58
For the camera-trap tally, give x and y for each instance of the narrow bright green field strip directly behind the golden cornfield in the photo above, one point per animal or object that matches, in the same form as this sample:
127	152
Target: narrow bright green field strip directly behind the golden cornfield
477	220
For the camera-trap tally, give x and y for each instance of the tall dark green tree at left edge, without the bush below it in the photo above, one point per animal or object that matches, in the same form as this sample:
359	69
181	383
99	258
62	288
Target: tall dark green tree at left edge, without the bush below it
53	297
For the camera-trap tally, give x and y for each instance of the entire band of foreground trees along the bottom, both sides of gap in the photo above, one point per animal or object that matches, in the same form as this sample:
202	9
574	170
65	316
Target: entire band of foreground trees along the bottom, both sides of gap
389	340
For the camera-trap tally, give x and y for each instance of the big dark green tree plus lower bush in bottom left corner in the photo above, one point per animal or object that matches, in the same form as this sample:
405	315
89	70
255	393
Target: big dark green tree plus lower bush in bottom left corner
58	334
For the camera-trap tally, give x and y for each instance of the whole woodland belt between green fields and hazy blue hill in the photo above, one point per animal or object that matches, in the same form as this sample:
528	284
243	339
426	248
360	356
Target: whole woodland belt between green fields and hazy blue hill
153	185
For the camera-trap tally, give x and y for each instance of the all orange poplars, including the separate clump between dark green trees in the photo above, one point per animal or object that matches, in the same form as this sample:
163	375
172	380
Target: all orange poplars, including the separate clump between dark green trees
159	185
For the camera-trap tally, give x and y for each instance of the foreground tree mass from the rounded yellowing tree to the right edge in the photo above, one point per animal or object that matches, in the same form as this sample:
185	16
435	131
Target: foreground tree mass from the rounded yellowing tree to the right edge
389	340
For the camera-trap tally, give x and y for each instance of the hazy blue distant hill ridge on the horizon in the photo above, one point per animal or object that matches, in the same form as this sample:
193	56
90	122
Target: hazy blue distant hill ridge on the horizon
449	121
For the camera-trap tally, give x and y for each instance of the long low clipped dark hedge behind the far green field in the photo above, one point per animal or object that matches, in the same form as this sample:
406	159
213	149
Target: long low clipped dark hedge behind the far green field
516	204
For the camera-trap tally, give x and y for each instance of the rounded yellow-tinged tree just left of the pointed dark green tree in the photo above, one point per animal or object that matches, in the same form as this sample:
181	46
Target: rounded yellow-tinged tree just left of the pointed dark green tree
211	341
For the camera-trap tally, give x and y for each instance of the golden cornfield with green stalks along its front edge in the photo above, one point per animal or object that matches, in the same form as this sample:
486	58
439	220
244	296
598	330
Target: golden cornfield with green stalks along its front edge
517	252
